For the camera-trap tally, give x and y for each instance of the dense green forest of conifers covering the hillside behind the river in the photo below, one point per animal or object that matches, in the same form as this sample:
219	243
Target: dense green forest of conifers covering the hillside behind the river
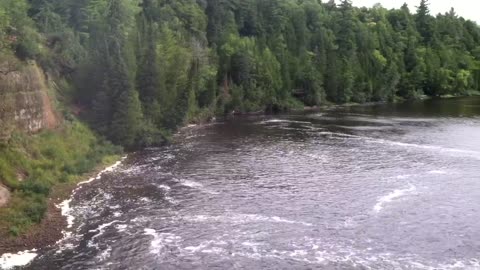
141	68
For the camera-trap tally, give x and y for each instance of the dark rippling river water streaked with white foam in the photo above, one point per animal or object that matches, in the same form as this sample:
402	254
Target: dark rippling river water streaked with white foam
367	187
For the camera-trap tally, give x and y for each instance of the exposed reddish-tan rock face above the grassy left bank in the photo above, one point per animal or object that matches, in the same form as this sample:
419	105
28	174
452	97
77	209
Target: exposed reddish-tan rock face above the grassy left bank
24	101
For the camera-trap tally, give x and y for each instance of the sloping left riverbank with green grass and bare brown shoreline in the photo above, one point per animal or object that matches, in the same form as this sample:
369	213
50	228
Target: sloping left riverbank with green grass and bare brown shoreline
39	171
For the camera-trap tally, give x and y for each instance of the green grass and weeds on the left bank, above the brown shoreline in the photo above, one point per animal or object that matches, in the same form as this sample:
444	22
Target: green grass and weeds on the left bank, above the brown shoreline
30	166
